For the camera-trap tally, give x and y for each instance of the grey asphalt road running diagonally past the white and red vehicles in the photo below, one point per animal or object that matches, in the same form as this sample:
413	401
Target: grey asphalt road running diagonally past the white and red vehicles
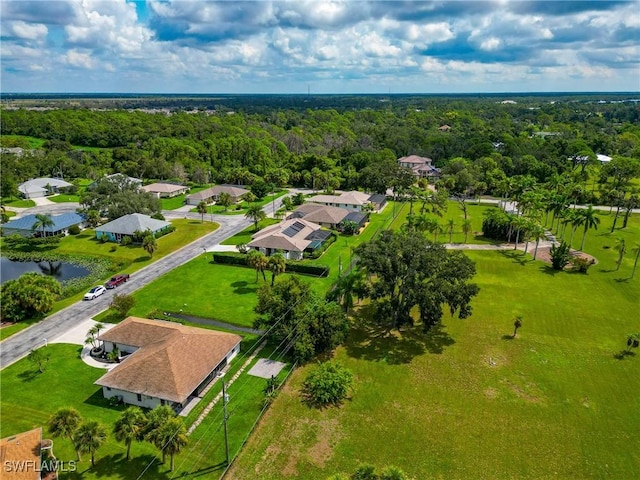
19	345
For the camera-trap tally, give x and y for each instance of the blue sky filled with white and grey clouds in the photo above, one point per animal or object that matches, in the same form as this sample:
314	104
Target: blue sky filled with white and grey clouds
192	46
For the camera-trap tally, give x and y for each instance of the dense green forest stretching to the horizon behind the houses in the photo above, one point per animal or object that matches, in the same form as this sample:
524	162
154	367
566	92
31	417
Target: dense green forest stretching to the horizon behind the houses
325	142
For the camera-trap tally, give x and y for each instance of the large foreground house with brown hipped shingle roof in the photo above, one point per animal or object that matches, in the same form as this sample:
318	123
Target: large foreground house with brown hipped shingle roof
164	363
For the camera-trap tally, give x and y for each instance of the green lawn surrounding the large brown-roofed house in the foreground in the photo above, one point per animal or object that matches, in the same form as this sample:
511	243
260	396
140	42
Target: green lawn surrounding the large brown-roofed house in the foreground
24	406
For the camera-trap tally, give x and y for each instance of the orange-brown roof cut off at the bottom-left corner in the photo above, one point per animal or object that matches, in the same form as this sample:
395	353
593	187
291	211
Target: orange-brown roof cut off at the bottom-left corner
20	455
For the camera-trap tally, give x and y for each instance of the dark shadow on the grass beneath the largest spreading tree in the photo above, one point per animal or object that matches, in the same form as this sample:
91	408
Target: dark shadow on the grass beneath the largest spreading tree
371	341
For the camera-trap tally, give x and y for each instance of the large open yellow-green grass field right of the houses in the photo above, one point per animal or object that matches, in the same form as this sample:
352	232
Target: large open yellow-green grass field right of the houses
467	400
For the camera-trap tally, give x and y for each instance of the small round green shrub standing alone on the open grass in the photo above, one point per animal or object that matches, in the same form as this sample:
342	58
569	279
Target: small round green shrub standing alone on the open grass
327	384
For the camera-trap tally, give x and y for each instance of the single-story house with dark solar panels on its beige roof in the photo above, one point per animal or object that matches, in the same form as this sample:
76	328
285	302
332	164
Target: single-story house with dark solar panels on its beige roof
292	237
